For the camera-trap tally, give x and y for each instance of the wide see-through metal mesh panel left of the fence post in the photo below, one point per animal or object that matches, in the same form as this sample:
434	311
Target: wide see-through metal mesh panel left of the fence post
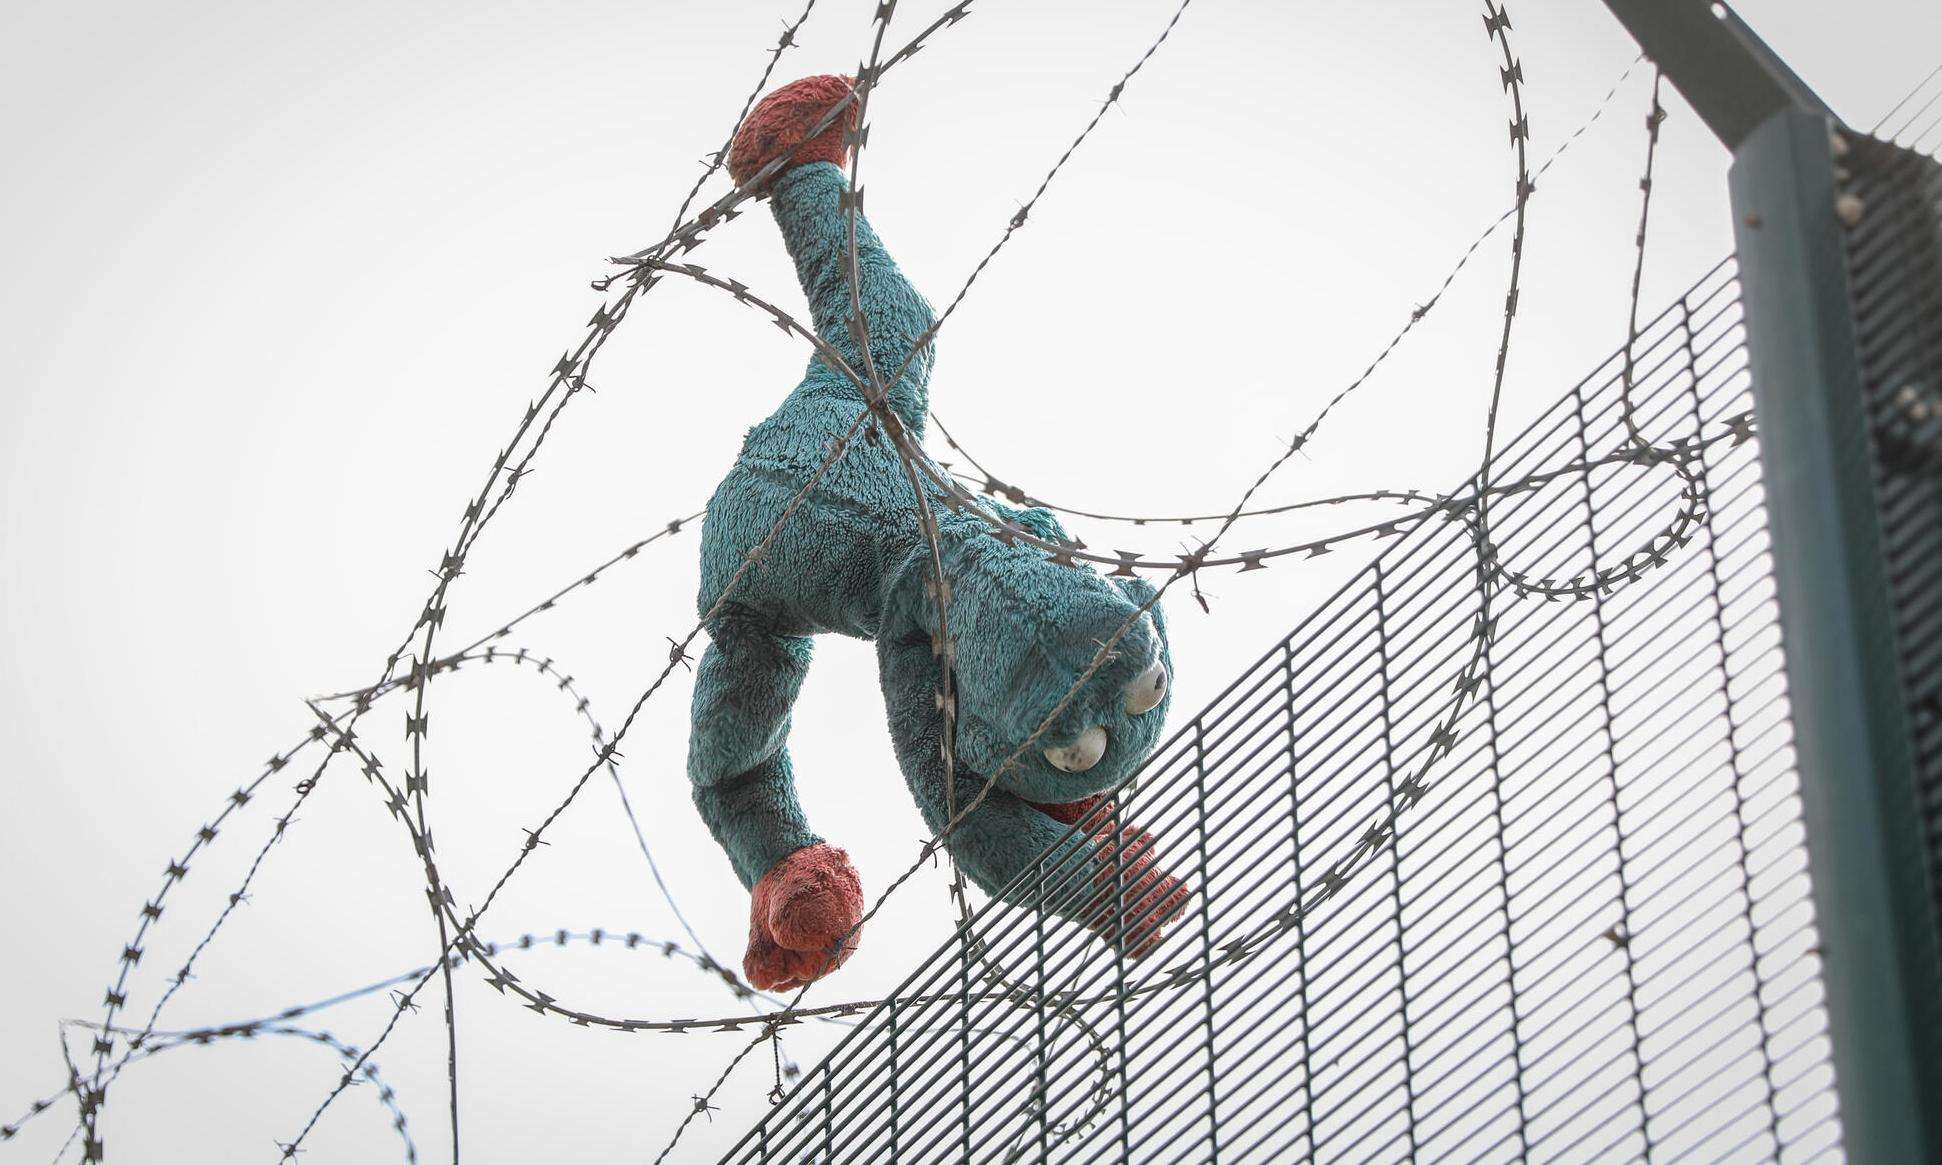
1576	929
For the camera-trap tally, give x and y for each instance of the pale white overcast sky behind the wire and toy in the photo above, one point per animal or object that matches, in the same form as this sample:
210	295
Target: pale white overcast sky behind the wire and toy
281	279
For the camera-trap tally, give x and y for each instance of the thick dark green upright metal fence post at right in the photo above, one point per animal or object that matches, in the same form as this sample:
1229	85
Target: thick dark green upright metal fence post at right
1852	733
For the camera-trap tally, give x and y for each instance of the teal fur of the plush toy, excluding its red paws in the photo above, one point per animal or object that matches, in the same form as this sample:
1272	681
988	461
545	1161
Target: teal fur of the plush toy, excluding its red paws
852	560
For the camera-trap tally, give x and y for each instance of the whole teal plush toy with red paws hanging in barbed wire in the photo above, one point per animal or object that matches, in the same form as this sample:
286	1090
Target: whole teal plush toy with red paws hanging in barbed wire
852	560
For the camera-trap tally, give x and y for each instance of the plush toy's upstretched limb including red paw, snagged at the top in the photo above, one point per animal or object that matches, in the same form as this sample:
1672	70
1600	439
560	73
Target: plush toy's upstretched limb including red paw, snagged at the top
809	207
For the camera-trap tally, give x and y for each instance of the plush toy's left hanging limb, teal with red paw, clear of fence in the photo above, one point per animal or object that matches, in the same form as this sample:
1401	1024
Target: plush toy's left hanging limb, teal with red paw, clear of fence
805	894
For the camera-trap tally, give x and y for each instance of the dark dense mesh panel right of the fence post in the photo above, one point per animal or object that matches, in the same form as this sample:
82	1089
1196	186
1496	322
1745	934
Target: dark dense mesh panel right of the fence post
1896	279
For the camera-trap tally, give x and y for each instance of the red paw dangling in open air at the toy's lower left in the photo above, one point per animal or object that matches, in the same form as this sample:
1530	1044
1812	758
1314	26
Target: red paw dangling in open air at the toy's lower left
797	915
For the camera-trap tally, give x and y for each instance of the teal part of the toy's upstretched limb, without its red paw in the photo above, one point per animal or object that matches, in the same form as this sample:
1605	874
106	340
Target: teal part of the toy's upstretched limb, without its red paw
809	207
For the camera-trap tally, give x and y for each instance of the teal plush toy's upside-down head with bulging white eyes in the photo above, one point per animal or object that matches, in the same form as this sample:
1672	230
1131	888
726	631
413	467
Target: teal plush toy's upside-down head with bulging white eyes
1026	630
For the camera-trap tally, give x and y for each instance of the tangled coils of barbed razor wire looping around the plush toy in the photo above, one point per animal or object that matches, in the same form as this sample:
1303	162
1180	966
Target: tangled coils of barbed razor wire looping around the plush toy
933	484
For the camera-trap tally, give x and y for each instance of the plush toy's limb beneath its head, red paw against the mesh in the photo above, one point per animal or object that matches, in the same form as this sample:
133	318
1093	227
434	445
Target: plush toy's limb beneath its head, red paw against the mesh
1106	882
